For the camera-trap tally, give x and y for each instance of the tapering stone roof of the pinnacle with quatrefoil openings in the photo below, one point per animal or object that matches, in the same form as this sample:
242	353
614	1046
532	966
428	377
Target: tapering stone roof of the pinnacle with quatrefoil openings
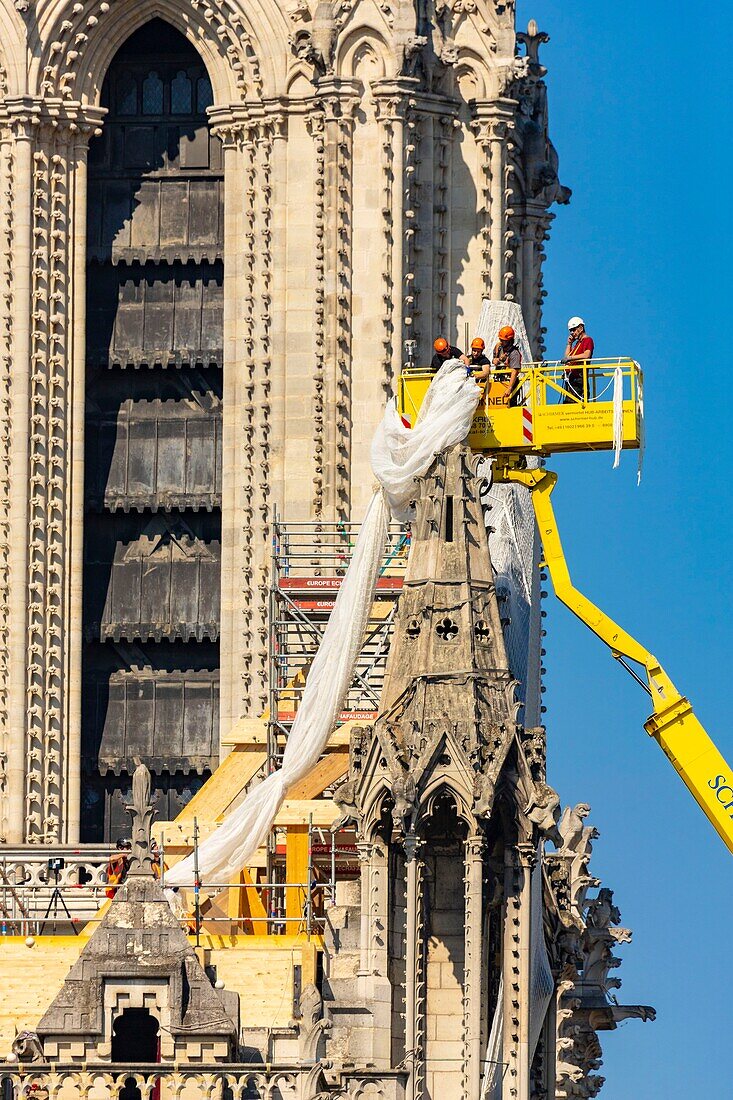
448	690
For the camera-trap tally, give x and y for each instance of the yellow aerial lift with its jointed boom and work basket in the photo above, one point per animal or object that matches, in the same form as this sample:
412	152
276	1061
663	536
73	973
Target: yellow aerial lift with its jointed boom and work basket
546	417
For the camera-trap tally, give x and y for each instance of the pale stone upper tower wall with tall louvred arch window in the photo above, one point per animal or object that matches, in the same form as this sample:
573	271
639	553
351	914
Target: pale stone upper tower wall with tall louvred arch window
224	228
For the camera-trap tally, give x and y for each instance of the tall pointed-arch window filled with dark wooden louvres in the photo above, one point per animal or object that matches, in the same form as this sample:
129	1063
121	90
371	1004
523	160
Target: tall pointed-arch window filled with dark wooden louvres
154	436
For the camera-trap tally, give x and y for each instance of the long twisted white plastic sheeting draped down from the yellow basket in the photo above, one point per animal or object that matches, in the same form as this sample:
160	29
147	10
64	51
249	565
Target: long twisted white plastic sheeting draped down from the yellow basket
399	457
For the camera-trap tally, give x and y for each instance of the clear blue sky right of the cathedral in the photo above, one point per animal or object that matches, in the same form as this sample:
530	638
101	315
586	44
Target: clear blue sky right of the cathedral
641	116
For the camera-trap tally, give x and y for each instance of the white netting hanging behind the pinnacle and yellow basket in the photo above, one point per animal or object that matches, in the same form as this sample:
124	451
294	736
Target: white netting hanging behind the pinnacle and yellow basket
513	541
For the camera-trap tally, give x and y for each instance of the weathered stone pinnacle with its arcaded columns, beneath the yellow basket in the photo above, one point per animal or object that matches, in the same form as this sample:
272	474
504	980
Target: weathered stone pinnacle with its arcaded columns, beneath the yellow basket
451	801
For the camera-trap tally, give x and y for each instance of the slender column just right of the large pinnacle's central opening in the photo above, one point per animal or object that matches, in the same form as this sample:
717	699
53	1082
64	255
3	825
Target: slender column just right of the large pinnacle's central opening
474	974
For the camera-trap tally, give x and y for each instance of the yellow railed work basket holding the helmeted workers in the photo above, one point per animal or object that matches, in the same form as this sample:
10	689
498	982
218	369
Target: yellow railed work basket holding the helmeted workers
550	411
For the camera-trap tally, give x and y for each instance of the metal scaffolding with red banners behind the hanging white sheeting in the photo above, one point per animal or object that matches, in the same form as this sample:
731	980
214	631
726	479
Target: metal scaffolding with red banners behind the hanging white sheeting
309	566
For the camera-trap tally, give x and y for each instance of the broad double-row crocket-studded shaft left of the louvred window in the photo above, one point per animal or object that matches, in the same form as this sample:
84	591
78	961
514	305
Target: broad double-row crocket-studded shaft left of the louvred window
50	521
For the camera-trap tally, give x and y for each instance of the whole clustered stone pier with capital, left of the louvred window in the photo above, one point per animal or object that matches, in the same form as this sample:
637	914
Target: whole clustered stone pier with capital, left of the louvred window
48	469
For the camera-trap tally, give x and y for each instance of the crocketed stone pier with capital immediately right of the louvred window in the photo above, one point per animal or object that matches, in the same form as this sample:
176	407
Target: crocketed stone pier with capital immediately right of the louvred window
246	499
